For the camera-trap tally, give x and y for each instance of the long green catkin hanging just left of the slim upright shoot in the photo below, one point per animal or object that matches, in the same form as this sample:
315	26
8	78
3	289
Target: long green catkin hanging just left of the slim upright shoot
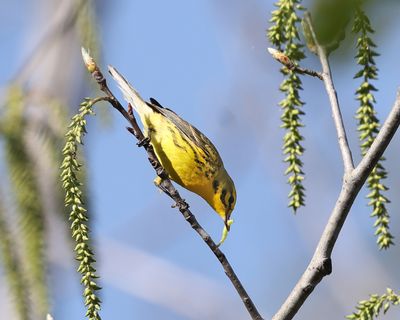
284	35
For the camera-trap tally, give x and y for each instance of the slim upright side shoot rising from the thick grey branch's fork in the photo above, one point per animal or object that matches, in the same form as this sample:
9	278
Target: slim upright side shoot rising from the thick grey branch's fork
330	89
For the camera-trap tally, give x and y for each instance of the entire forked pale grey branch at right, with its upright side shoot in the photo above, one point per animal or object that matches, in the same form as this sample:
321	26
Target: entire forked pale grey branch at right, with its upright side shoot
353	179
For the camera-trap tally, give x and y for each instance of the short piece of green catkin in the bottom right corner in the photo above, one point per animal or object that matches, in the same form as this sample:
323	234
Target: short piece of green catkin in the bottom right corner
370	309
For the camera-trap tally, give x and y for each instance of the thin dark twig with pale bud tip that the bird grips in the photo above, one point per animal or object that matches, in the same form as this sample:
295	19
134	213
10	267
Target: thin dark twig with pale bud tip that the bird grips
168	188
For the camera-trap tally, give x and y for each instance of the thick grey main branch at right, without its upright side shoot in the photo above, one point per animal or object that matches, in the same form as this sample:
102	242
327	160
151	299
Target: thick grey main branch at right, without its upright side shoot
320	264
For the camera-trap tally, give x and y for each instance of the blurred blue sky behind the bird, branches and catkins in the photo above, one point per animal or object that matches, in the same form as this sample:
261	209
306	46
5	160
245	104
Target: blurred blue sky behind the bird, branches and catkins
207	61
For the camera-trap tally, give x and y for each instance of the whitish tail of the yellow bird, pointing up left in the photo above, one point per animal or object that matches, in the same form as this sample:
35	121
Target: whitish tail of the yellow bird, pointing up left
130	94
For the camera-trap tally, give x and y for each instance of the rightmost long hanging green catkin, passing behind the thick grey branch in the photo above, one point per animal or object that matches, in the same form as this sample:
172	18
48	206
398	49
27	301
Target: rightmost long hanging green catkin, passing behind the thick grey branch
368	124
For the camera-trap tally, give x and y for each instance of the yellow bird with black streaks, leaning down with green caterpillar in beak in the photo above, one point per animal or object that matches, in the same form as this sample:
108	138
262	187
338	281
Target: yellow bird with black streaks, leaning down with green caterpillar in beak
187	155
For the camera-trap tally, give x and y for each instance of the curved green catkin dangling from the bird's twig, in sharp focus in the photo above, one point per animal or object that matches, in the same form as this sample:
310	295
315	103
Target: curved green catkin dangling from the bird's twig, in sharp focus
78	218
